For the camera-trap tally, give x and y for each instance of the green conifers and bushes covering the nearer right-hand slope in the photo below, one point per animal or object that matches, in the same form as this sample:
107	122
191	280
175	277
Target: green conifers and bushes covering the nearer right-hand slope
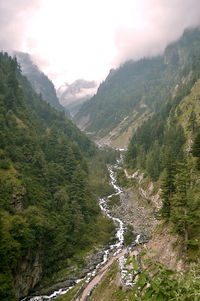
166	148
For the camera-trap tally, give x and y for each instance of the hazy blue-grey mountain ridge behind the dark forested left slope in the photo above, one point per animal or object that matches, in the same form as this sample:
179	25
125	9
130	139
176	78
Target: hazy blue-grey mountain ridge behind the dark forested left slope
39	81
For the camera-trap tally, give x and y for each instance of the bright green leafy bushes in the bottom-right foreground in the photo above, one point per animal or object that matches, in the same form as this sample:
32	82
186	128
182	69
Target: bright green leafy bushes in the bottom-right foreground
156	282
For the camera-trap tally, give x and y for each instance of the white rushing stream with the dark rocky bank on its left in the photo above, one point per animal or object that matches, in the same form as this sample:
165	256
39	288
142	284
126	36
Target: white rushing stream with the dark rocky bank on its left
95	261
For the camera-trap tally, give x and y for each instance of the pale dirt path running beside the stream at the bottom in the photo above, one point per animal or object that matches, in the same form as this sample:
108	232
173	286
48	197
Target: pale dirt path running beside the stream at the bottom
99	276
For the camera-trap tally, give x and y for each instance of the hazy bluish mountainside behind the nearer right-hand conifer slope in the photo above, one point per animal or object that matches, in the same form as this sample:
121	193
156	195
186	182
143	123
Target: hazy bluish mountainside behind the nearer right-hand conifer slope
131	93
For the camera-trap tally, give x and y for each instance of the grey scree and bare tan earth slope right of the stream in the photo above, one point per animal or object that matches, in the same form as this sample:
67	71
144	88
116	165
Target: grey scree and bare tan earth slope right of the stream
163	246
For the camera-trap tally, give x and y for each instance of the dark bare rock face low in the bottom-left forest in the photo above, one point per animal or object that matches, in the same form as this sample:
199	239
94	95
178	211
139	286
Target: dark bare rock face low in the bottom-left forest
28	274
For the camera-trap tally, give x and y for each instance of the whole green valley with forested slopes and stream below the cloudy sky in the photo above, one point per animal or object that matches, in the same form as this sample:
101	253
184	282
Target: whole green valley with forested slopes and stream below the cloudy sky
77	204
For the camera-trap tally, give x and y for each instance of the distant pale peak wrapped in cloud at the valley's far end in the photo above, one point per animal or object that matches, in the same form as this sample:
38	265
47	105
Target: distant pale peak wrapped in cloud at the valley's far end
72	96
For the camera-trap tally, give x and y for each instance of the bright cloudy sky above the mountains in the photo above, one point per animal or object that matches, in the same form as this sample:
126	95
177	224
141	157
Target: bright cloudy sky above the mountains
71	39
